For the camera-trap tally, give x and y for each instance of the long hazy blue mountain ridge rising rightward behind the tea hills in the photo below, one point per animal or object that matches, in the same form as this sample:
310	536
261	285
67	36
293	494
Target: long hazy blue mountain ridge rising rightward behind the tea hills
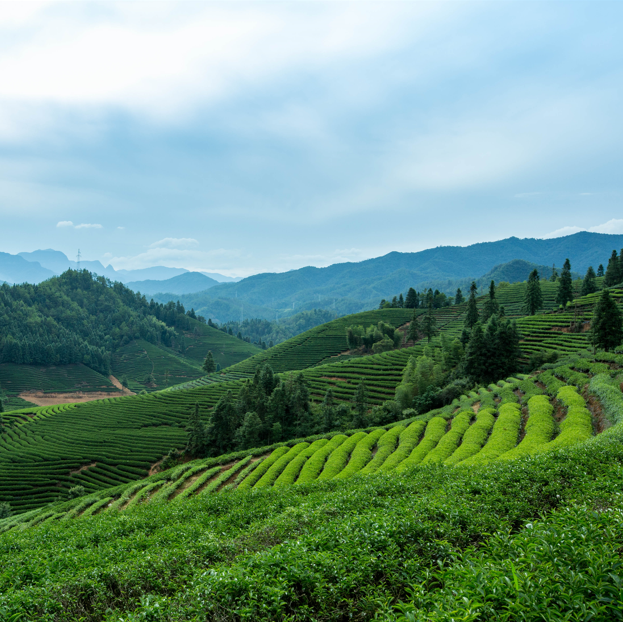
371	280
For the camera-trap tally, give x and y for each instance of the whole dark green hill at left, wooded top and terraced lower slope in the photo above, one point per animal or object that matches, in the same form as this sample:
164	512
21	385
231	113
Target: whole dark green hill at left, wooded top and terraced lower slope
80	319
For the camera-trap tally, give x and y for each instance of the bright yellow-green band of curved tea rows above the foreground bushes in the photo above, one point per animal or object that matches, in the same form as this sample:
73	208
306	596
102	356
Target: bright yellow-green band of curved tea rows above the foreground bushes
517	417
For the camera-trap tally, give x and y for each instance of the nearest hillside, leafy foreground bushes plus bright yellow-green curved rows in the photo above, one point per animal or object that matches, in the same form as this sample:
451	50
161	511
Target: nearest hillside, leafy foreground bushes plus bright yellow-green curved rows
346	525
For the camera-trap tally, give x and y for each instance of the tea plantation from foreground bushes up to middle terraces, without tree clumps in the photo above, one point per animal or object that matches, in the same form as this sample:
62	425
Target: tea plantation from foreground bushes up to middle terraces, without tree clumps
503	505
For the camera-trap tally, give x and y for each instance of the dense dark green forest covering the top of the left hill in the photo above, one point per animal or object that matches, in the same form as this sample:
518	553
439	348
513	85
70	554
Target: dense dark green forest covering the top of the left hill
82	318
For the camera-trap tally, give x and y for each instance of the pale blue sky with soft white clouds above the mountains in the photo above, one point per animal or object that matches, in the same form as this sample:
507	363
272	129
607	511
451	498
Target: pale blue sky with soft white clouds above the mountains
246	137
